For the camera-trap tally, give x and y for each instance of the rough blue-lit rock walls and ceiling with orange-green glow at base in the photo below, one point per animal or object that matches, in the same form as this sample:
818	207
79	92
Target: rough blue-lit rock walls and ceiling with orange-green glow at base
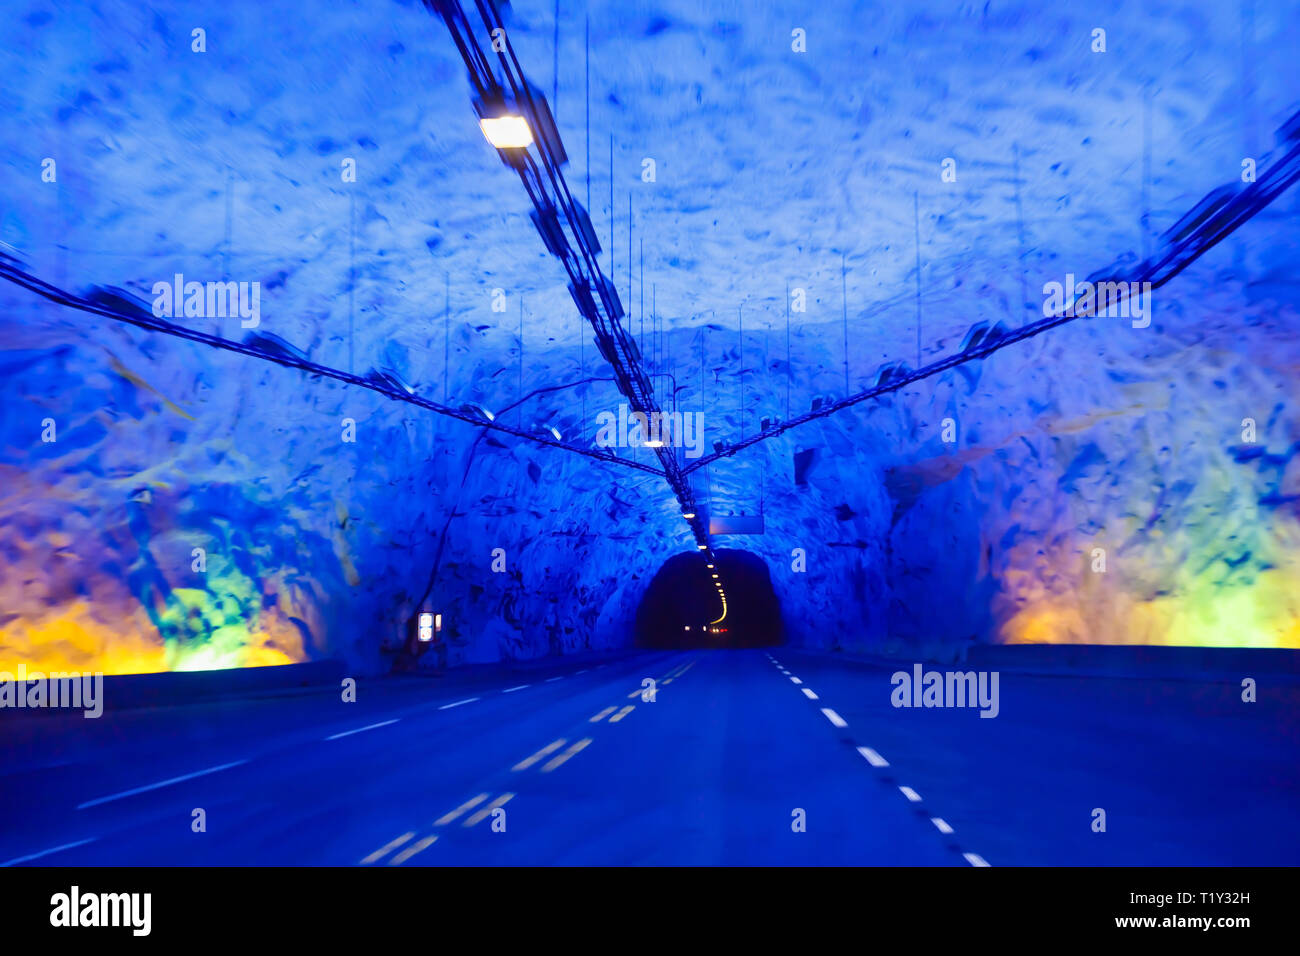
772	170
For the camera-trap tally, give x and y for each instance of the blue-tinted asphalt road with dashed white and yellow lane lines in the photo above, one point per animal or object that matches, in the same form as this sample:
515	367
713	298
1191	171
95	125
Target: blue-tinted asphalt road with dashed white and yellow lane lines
743	758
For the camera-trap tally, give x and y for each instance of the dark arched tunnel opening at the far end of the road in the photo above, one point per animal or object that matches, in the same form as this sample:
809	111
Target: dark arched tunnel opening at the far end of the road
694	605
